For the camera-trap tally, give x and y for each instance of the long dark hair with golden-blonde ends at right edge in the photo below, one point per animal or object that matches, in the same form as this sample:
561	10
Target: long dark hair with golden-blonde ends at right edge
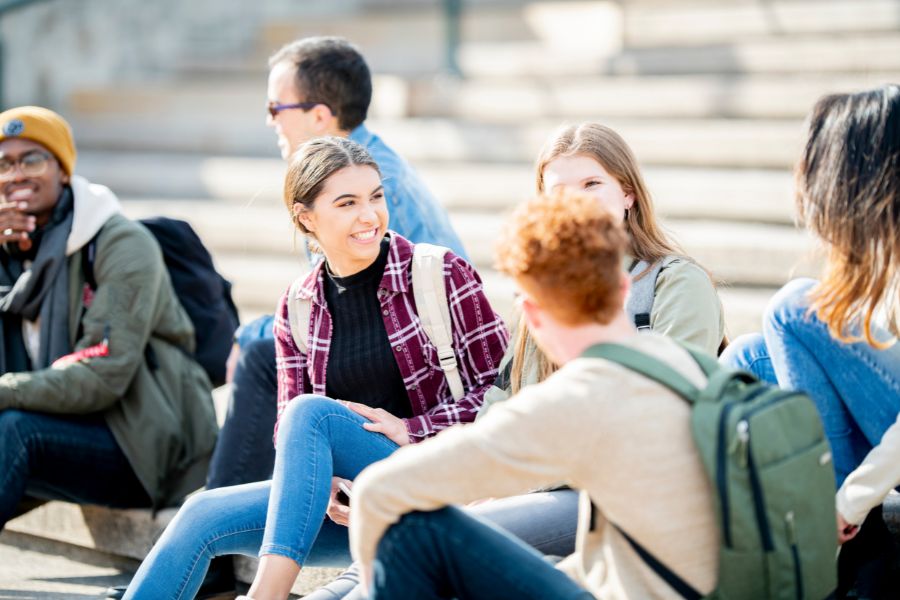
848	193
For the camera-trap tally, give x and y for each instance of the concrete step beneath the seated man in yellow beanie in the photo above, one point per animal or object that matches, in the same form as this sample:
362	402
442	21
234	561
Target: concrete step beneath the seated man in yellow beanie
130	534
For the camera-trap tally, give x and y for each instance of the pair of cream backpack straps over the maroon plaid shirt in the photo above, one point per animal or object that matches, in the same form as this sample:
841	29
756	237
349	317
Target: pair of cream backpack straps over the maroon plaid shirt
431	301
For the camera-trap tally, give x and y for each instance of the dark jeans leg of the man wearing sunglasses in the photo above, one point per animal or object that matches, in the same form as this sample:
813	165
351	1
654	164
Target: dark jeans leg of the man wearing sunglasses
244	451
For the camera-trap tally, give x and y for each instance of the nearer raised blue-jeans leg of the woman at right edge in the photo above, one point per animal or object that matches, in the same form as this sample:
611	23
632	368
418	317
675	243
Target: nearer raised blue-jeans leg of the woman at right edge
856	388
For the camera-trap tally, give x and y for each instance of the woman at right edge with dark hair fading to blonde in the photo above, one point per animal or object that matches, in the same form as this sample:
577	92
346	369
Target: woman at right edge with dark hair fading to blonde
836	338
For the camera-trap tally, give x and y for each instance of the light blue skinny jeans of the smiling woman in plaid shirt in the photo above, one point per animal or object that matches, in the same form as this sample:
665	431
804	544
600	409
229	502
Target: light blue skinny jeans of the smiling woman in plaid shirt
318	438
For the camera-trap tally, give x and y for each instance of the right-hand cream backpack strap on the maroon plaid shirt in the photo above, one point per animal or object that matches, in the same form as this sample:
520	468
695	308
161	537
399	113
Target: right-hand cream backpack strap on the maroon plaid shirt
430	293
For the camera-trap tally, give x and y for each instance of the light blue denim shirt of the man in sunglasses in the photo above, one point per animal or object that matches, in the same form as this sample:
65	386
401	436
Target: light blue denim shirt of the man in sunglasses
414	213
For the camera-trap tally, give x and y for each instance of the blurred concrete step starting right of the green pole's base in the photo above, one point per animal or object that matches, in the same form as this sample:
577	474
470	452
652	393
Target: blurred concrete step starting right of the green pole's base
862	53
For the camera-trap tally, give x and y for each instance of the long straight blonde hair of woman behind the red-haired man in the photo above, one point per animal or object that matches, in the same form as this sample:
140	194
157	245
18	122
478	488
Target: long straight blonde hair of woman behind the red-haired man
648	240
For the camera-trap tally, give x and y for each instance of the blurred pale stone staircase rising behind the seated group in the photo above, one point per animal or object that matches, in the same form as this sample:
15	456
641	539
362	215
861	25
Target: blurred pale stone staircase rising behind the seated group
711	96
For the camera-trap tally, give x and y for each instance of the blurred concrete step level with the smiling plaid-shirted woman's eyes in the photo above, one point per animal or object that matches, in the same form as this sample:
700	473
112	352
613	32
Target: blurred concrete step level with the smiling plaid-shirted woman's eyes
166	182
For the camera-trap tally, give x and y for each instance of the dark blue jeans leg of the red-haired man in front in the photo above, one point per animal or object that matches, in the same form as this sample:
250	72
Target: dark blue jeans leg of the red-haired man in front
451	554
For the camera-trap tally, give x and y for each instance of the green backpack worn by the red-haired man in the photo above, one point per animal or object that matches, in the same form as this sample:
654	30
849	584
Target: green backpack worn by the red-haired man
769	464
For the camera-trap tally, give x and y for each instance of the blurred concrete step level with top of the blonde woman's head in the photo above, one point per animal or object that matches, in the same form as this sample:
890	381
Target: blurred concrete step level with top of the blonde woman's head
672	142
